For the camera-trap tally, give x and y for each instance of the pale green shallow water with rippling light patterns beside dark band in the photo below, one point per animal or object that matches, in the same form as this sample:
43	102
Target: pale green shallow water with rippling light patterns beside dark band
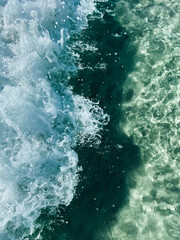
152	120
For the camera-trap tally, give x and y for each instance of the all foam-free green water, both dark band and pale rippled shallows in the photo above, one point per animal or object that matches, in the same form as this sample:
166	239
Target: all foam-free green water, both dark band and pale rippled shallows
128	187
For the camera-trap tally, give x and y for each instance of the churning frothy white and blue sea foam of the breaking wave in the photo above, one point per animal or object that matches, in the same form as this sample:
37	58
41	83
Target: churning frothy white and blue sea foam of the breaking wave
40	118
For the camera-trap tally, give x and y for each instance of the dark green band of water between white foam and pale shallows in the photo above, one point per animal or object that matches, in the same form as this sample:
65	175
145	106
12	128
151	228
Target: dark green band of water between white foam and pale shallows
102	189
